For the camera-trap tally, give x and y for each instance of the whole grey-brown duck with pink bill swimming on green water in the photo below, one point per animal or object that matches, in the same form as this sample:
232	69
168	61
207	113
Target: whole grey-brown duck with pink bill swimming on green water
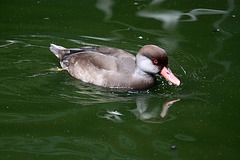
116	68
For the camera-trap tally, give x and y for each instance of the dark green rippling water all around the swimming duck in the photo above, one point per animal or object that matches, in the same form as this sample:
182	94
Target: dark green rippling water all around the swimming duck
47	114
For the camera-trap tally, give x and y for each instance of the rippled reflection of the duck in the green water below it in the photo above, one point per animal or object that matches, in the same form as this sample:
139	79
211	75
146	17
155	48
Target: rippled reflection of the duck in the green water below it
148	107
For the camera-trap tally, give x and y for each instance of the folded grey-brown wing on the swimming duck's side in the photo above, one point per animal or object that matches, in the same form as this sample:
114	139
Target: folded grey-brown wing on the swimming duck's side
108	61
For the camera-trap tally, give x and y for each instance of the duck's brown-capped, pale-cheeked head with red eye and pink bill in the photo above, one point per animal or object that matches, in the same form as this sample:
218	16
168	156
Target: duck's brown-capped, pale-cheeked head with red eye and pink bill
152	59
